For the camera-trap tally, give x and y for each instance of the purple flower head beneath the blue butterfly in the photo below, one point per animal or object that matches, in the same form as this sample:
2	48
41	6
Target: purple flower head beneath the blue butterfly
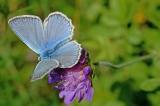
74	82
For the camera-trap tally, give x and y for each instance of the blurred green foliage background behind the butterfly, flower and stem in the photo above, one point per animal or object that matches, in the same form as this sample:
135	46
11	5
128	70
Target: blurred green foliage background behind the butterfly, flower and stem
112	30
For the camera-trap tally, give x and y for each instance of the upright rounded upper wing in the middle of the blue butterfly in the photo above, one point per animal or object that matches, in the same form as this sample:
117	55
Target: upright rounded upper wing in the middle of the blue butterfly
57	28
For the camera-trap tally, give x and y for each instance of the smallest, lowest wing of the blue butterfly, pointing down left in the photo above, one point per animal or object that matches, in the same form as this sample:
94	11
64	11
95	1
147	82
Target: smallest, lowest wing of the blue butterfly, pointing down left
43	68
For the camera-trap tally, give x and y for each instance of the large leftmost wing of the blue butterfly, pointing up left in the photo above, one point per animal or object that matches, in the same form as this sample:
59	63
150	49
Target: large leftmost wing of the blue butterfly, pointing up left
29	29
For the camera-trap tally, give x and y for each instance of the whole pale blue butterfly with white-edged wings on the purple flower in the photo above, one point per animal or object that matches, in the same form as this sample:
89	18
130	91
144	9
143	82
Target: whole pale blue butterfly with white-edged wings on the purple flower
50	39
